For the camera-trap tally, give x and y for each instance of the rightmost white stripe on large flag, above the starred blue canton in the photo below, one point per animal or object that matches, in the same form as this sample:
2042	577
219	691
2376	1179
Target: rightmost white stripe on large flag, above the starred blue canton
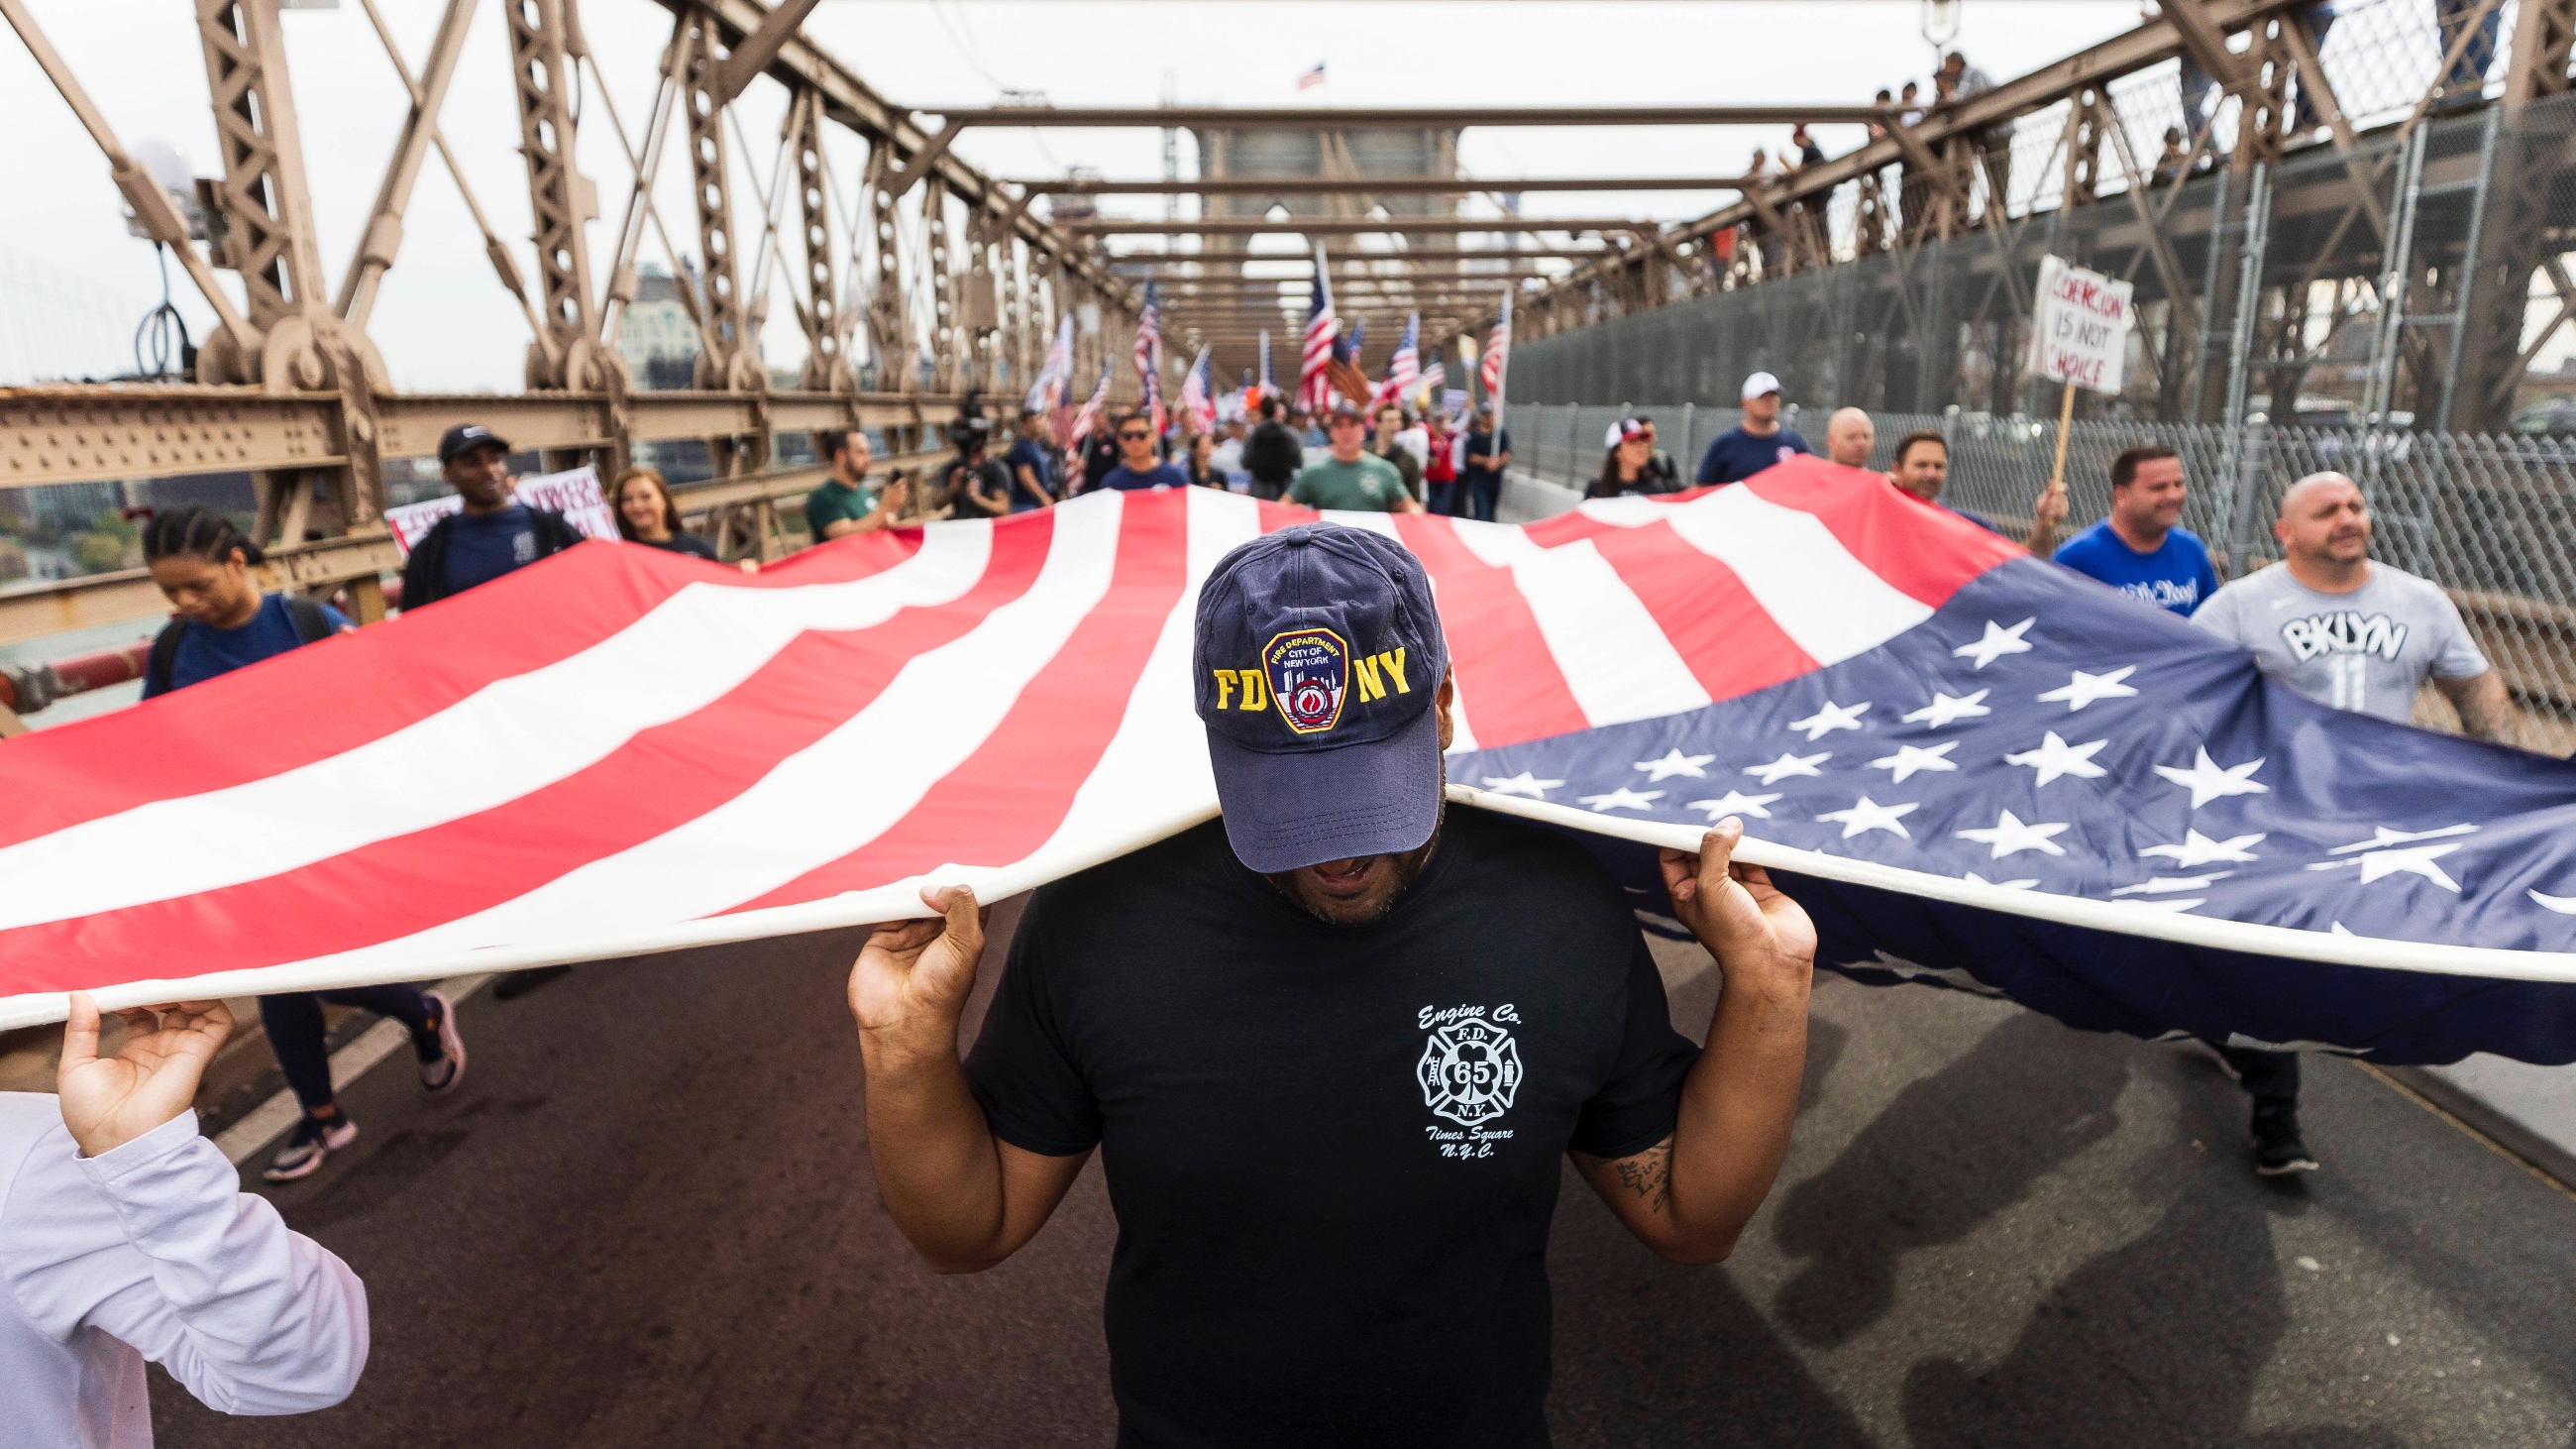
1797	571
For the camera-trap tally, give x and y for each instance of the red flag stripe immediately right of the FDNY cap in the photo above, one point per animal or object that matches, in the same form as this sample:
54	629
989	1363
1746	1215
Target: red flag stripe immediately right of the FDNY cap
1506	672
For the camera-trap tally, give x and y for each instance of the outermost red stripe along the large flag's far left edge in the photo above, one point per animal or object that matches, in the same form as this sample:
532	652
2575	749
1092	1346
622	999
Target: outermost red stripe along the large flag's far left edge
339	695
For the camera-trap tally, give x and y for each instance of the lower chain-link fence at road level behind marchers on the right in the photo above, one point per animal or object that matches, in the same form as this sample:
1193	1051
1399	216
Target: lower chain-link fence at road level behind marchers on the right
2487	517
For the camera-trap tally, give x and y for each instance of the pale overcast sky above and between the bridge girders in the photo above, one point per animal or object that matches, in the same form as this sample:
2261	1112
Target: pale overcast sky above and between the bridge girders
447	326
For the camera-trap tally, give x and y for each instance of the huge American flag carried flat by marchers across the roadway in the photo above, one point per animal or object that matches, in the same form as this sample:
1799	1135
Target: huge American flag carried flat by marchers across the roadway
1972	767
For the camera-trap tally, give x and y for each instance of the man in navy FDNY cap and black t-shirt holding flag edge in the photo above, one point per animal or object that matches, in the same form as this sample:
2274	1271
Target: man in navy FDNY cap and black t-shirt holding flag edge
1333	1048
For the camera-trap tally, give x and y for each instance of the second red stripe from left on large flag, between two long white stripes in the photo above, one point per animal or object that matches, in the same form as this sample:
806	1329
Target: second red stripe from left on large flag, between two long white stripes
650	785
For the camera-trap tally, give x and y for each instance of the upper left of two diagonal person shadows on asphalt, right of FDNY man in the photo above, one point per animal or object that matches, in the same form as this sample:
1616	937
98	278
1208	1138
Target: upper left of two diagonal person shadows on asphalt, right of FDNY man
1949	1154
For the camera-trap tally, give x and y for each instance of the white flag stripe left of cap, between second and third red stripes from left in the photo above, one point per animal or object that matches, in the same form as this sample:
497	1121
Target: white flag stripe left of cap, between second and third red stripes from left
831	798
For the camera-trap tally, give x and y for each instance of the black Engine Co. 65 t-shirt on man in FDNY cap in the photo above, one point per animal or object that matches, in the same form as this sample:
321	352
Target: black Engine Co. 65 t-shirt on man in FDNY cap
1333	1149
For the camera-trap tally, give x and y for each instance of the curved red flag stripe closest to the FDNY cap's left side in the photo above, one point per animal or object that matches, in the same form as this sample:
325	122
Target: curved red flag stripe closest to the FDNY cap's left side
1016	788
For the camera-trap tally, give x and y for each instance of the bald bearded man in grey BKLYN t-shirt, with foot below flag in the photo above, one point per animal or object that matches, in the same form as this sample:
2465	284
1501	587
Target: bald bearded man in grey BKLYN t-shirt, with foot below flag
2353	636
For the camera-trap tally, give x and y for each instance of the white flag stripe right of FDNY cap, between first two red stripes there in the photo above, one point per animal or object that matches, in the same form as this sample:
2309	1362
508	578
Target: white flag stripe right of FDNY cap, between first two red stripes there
1606	643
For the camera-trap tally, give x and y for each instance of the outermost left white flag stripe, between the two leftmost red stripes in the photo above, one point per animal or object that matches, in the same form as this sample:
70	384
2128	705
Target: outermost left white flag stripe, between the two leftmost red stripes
498	744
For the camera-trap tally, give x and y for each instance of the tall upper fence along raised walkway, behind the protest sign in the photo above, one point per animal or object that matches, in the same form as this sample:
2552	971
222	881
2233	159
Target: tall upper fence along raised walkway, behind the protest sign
2361	257
